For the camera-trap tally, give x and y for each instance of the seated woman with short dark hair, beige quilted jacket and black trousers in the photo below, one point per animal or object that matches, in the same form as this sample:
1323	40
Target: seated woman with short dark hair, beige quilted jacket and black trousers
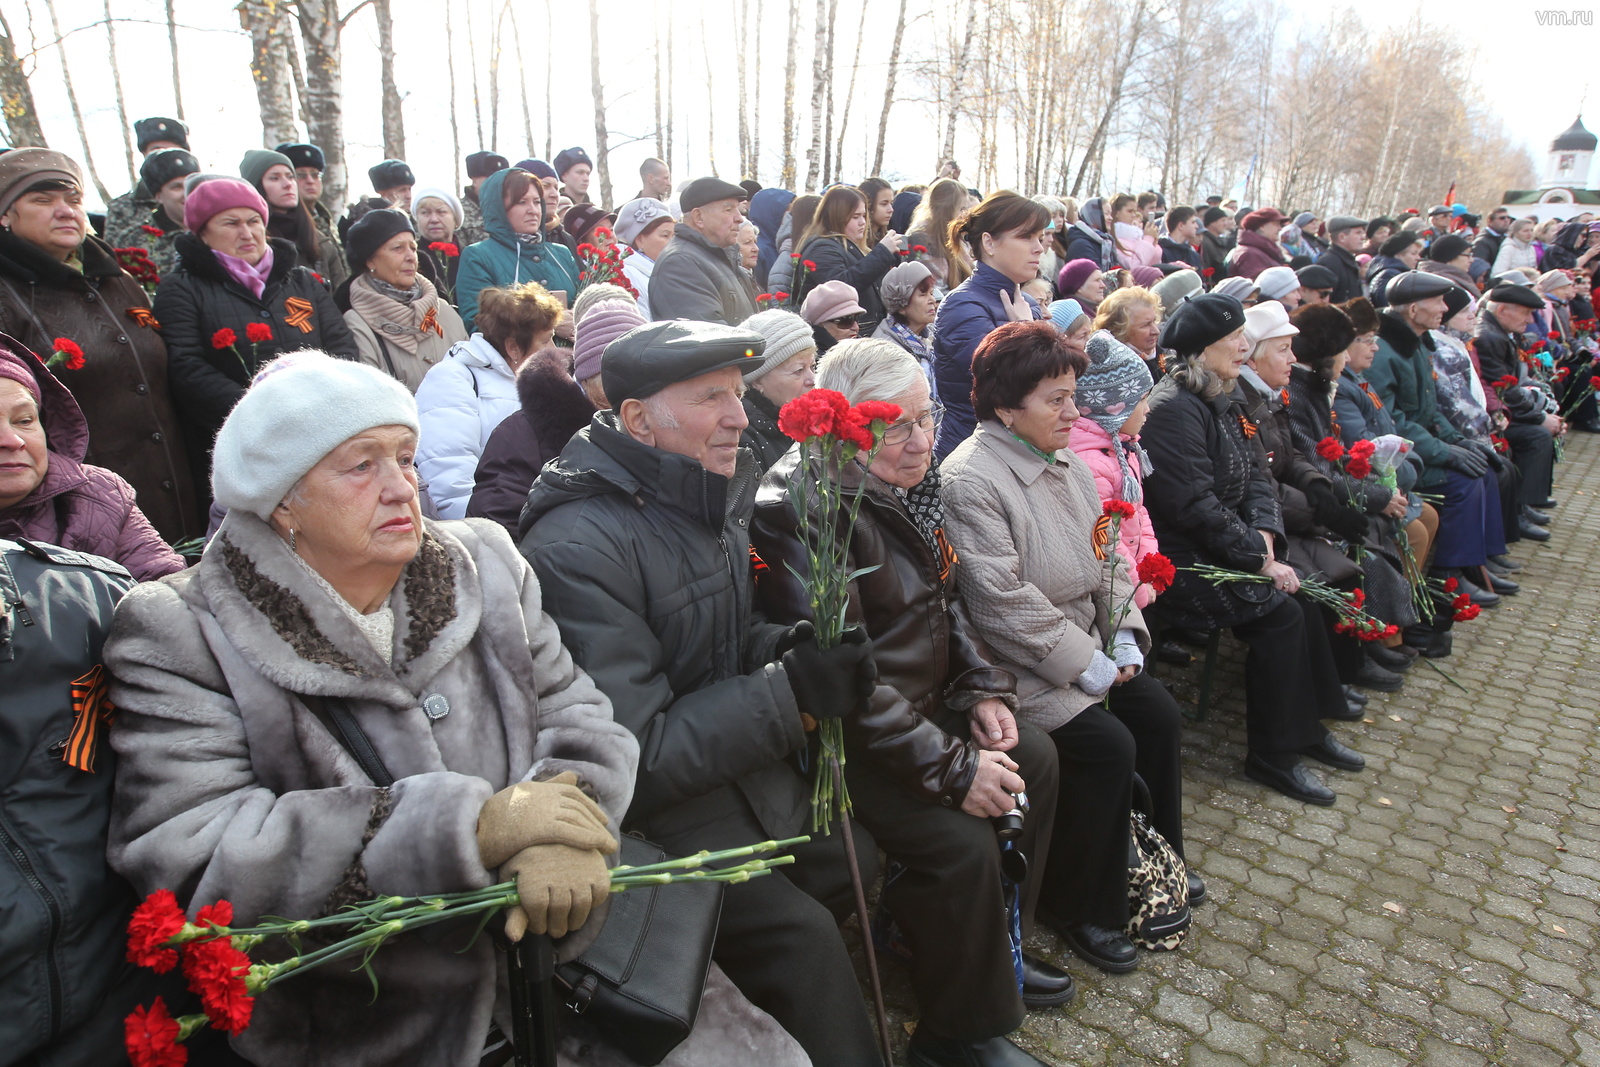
1022	511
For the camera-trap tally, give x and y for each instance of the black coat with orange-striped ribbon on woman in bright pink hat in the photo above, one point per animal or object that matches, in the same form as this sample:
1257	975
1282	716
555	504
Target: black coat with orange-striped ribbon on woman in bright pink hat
202	298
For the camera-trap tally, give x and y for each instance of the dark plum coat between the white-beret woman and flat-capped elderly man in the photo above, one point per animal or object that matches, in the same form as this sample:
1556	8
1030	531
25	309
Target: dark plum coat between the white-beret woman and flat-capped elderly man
554	407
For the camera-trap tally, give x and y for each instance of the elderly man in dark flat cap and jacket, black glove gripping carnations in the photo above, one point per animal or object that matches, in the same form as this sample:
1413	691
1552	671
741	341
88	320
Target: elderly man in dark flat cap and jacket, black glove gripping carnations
641	537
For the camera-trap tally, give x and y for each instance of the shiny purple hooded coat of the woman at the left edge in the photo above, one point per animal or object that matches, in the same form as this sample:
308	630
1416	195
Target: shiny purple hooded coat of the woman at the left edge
79	506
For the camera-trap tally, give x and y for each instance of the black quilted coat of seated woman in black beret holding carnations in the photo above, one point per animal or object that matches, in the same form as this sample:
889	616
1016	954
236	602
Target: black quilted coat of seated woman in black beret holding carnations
1209	502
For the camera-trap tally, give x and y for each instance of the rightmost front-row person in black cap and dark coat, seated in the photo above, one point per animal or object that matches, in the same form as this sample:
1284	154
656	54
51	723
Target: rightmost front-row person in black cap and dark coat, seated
1506	314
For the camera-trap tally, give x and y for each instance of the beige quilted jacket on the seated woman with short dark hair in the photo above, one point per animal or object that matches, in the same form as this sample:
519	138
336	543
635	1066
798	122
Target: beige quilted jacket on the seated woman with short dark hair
1031	580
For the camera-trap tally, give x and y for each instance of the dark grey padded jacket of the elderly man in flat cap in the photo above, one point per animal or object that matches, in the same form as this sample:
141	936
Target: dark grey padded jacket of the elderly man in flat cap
646	564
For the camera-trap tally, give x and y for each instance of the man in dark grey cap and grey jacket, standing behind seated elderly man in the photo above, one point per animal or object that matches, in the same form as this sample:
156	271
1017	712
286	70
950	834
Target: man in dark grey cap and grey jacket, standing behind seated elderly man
695	276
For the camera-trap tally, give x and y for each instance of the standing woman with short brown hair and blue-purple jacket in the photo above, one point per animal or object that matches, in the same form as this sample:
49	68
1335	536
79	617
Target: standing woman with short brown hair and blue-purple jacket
1006	236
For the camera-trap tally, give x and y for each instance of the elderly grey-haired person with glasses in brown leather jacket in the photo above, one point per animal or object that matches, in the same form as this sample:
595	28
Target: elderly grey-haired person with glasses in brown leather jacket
938	749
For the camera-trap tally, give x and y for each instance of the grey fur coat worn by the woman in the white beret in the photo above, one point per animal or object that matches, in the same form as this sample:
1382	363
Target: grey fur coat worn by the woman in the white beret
230	788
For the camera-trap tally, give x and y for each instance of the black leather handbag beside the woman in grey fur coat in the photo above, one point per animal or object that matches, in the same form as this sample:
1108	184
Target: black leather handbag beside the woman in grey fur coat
641	983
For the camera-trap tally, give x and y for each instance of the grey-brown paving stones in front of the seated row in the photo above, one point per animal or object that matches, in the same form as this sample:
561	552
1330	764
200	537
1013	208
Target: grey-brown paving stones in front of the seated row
1442	913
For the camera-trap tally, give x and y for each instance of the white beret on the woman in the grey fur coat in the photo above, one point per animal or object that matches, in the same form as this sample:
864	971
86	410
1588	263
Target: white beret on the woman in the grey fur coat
298	409
